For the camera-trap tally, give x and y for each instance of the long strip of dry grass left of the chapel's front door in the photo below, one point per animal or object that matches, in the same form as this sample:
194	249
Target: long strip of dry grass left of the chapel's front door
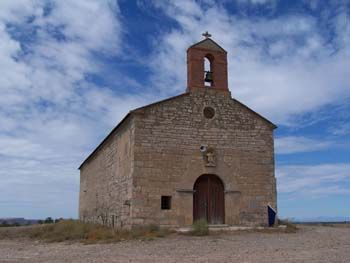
74	230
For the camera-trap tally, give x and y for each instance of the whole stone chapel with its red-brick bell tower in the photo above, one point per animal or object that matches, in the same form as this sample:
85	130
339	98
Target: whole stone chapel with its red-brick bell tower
199	155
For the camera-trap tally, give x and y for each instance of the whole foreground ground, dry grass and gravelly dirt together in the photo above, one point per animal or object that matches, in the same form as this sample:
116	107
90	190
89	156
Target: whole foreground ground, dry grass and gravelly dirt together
86	243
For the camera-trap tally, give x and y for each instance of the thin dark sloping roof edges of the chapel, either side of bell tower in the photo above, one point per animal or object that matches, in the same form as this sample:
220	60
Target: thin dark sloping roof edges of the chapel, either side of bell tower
137	110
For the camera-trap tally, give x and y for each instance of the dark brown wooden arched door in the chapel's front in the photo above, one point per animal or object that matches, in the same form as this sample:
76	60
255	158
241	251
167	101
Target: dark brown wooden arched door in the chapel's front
208	199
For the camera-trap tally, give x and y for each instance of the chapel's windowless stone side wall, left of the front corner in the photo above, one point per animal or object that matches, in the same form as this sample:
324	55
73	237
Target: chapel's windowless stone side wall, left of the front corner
106	180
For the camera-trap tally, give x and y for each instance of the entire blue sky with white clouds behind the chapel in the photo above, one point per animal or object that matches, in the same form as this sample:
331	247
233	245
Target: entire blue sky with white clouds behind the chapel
70	70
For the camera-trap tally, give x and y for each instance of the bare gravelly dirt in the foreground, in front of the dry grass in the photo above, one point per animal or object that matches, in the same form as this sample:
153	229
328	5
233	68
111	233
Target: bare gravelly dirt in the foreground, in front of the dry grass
309	244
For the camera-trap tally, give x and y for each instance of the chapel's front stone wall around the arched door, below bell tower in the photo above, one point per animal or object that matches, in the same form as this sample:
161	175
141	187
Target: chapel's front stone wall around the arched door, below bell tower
167	159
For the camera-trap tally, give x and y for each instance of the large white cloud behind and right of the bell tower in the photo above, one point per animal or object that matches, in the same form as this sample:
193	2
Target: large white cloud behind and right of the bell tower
281	67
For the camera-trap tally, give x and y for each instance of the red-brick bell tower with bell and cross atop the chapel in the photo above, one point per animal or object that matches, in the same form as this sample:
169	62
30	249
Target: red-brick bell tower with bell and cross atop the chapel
207	66
